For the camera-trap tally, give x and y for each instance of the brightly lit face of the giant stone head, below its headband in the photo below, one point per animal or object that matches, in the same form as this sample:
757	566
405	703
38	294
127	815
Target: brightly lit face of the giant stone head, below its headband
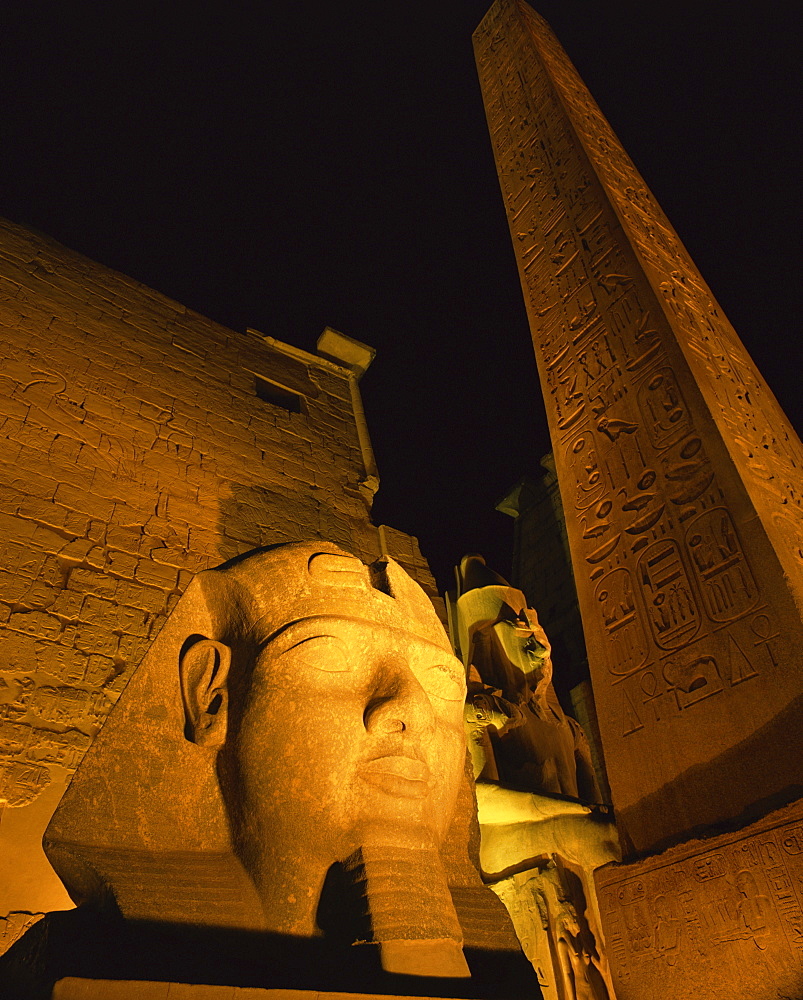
351	729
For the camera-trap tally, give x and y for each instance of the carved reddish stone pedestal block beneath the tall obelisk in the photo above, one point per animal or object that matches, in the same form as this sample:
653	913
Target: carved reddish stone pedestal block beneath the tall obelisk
720	919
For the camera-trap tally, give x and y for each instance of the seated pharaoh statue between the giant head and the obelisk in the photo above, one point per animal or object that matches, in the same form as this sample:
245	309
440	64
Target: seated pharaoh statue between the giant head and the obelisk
543	832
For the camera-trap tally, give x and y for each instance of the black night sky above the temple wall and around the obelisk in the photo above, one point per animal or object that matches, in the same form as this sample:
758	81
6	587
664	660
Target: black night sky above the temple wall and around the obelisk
290	166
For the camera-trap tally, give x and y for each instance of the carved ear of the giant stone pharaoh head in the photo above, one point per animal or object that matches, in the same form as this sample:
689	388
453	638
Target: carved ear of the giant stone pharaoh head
204	669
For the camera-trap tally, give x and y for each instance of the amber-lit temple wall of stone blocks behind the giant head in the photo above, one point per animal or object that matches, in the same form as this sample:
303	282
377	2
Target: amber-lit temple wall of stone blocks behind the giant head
141	443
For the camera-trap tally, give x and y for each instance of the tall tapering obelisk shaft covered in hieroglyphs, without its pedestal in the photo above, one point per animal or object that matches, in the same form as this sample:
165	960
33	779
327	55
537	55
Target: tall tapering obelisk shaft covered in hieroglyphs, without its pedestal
679	473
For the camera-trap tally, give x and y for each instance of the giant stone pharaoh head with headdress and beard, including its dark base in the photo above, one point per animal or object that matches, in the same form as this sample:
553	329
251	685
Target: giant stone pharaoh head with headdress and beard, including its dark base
283	777
